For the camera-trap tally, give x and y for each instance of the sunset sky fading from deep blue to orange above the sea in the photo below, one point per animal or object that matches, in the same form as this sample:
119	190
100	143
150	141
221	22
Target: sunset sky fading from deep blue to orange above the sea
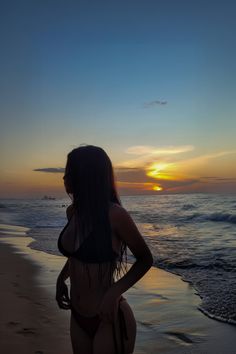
152	82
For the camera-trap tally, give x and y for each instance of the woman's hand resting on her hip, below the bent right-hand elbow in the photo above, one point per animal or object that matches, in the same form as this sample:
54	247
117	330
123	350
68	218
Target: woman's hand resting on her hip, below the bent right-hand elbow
109	307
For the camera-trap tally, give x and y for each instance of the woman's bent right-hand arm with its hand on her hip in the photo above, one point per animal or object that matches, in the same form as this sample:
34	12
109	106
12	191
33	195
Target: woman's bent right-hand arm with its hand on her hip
127	231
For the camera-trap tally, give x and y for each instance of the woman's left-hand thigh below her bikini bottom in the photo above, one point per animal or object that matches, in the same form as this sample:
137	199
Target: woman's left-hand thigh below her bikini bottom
80	340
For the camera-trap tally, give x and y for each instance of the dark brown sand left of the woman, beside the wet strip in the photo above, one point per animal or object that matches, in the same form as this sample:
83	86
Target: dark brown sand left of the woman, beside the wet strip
30	322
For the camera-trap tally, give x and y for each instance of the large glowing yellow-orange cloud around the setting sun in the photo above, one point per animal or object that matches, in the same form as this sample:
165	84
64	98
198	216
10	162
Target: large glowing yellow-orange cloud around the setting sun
170	168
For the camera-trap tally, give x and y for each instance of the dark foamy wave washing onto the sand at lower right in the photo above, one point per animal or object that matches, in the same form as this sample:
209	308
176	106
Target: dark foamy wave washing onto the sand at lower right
214	284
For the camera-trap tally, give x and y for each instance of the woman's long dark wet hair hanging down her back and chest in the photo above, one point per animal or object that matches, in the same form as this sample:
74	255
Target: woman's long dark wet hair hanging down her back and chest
89	177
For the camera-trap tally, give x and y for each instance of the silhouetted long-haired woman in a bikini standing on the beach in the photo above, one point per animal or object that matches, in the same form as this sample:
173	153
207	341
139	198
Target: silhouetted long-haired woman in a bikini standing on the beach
94	240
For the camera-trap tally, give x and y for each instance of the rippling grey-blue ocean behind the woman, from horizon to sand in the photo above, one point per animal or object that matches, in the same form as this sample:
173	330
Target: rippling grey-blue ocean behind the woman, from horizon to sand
191	235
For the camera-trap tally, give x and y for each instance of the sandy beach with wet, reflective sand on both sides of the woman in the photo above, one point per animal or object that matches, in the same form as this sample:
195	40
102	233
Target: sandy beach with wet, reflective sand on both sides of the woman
165	307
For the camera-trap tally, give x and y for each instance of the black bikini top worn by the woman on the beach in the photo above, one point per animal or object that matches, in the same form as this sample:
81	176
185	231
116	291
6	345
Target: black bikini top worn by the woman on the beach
95	248
